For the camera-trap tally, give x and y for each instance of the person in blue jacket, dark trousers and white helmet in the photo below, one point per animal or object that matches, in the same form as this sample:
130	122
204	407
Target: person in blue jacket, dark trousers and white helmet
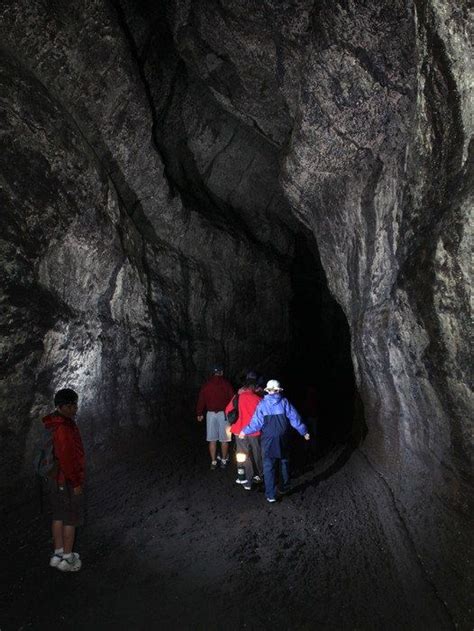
274	416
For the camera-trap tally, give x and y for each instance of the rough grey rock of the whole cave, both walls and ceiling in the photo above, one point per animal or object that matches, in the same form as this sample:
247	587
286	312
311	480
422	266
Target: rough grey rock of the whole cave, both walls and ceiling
157	160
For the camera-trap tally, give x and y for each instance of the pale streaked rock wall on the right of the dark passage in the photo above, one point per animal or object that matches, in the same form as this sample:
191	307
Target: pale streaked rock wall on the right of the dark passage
379	168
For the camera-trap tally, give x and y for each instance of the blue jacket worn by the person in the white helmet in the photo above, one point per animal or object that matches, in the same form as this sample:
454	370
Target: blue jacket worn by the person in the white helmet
274	416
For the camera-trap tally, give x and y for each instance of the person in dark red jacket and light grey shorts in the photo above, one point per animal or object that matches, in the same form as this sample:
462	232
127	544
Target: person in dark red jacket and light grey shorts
213	397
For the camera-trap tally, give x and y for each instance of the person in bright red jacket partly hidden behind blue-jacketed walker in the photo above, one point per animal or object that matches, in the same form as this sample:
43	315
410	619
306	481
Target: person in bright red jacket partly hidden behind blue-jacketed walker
250	445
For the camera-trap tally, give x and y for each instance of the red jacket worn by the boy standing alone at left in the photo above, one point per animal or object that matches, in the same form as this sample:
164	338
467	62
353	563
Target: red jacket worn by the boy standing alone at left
68	448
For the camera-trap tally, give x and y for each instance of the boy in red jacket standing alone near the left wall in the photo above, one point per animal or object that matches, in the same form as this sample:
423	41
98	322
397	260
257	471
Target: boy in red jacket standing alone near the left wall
66	488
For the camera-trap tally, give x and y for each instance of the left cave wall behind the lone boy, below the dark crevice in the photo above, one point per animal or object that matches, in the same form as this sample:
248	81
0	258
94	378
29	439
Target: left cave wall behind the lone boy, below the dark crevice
114	285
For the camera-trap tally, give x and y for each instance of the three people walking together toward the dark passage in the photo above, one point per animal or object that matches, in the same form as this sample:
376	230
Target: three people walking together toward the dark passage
260	419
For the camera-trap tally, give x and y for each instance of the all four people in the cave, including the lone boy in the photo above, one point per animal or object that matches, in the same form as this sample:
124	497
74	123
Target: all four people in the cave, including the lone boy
261	421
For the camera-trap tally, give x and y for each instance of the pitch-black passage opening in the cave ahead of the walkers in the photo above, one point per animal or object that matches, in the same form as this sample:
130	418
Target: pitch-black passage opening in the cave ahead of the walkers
319	369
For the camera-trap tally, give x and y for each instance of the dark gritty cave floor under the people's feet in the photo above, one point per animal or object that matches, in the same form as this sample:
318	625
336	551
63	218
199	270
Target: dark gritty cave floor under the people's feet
169	544
